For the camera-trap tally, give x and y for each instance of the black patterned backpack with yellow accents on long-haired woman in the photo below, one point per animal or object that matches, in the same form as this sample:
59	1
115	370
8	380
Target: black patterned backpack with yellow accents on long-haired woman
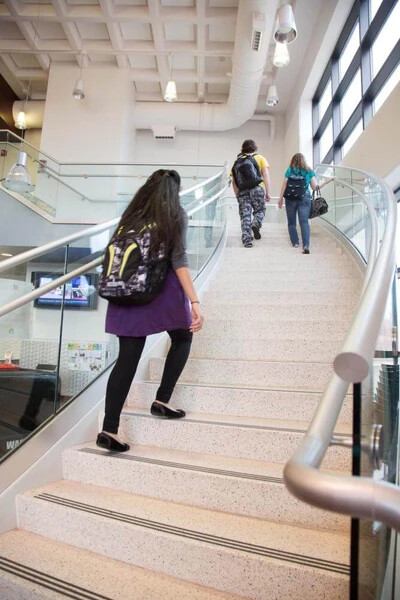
130	275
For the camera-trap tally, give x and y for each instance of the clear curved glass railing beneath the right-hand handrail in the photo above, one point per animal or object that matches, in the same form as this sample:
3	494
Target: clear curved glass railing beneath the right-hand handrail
358	207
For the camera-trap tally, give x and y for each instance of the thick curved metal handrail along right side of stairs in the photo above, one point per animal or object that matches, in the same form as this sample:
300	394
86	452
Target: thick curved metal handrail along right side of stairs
354	496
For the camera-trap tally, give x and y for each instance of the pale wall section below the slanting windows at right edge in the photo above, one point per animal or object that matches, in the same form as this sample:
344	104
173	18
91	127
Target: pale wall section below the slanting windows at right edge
378	149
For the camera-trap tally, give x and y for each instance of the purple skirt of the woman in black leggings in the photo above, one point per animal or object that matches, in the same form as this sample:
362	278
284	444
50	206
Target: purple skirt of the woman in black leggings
169	310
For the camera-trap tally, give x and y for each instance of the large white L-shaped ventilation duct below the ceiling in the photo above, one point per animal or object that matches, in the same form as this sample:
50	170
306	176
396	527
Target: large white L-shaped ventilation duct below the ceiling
247	75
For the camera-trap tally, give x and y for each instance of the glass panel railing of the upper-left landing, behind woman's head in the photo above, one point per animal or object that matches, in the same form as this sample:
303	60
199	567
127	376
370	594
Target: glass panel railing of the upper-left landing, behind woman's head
88	193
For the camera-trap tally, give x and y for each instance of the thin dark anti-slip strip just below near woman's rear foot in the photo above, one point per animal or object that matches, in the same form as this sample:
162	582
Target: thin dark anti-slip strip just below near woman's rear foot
183	466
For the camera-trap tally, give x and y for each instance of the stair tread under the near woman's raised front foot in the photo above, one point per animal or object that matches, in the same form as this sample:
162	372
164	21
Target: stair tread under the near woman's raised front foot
237	421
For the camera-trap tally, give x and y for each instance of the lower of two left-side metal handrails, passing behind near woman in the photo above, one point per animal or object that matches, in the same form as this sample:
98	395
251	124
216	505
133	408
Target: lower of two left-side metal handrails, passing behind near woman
44	289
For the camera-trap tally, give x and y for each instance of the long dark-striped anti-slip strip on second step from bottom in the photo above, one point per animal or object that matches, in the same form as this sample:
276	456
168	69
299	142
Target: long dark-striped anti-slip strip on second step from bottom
282	555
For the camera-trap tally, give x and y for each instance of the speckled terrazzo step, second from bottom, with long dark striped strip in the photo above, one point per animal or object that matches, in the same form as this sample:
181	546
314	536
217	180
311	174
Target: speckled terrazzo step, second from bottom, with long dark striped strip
235	554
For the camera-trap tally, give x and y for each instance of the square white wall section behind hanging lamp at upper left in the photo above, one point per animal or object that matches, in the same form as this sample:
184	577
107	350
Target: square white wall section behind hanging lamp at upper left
96	129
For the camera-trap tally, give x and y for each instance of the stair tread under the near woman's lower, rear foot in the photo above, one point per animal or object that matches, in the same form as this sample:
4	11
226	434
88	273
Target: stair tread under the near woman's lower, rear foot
224	465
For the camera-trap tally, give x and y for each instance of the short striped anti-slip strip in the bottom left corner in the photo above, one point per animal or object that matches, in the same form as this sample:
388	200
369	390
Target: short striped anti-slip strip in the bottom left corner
49	582
